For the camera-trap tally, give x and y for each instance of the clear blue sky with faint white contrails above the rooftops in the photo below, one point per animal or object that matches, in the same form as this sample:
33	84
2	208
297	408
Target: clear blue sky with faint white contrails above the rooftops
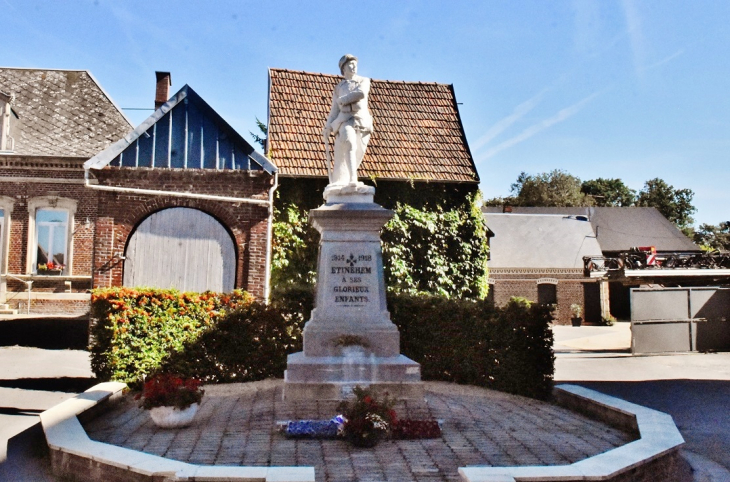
599	88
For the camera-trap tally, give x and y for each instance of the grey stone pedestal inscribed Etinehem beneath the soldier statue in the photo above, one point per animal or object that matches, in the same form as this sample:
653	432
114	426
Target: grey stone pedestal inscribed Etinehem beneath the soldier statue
350	339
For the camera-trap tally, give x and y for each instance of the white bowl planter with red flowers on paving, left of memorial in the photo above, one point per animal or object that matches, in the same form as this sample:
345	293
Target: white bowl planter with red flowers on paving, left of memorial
172	401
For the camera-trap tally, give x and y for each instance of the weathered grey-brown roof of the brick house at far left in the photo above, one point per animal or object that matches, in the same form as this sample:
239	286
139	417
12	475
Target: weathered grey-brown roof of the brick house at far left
61	112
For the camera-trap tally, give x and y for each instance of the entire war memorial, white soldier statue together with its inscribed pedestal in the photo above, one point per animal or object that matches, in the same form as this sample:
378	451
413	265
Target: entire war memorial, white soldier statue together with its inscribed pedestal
349	339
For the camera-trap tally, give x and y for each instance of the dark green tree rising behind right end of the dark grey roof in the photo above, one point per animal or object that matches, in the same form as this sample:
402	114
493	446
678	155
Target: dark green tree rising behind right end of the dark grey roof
674	204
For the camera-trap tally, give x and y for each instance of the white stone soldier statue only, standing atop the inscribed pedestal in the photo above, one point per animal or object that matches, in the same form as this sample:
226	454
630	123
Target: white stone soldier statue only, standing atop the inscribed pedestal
350	121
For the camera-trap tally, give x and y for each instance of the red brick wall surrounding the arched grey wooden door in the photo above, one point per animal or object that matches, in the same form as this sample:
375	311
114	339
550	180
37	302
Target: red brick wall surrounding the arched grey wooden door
120	213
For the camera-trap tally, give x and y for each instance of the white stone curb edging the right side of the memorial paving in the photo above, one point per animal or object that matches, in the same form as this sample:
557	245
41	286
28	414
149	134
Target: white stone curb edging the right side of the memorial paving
658	436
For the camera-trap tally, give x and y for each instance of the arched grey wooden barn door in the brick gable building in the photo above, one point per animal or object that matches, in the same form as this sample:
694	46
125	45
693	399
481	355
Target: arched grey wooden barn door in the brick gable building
181	248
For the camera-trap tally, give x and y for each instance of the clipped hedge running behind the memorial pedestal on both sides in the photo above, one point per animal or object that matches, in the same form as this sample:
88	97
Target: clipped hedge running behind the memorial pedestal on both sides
236	339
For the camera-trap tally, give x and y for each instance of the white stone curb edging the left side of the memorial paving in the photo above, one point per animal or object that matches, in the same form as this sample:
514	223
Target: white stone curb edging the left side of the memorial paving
64	433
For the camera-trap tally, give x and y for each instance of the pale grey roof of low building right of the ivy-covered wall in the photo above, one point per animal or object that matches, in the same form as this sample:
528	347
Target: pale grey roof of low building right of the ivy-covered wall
539	241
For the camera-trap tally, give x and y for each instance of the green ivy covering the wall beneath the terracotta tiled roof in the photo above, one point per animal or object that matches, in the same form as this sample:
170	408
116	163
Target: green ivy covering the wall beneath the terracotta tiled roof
435	243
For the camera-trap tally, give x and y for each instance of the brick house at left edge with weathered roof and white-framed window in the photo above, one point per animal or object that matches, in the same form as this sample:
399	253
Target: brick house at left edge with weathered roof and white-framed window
52	121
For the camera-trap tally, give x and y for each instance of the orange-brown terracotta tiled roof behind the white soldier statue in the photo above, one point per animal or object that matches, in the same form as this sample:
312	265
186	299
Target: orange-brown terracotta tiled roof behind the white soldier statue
418	133
